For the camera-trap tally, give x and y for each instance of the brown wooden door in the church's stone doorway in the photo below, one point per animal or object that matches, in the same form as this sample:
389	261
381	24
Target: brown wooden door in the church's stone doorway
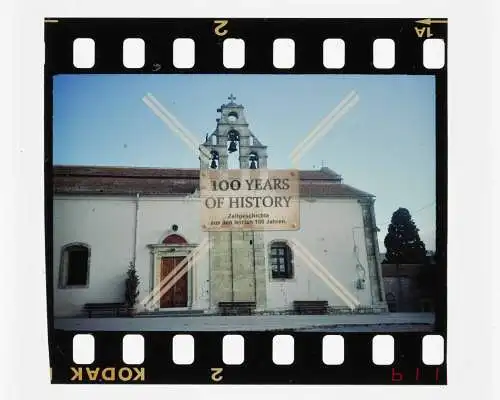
177	295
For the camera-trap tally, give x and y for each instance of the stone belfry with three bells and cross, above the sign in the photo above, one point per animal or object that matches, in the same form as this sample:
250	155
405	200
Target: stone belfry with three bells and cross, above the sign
232	134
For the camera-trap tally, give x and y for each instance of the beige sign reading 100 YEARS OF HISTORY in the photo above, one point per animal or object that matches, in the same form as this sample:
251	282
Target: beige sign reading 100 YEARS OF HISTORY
249	200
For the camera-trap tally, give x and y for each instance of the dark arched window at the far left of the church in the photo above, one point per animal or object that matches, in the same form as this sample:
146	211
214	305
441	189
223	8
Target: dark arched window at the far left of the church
75	265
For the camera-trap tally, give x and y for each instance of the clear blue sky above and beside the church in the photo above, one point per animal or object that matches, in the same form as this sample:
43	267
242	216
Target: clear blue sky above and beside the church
384	145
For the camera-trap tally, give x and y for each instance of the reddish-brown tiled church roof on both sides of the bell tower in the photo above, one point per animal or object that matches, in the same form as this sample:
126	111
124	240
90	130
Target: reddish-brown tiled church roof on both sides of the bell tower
174	181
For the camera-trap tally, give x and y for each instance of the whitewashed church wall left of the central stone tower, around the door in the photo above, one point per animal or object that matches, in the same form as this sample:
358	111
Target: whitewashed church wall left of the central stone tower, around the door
106	224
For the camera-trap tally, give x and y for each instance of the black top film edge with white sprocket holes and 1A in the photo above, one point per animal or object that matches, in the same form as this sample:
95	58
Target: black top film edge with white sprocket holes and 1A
384	46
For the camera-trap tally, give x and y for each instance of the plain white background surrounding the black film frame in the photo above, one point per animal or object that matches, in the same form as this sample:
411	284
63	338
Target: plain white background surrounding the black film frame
472	218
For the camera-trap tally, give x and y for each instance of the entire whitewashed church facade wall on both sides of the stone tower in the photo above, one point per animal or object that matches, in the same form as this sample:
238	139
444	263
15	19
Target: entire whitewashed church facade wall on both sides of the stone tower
106	224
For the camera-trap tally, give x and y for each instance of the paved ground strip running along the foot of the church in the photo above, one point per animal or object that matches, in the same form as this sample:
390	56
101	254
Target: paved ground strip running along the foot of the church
389	322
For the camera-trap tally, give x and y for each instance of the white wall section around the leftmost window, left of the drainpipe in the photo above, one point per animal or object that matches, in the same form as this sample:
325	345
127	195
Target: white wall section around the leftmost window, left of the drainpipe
106	225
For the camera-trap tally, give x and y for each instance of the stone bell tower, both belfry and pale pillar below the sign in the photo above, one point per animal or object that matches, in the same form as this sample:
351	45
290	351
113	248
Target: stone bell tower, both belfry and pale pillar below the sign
237	259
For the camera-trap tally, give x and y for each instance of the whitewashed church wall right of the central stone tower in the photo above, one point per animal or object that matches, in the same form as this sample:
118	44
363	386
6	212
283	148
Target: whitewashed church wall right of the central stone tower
327	228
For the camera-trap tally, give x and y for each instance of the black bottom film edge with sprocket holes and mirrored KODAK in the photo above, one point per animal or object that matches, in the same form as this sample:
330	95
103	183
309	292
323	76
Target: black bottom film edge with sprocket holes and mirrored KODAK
242	358
